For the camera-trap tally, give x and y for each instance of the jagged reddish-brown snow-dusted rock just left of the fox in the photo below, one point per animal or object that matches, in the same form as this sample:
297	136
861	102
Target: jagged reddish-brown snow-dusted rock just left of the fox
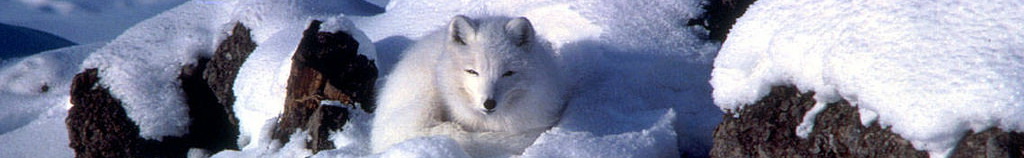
325	67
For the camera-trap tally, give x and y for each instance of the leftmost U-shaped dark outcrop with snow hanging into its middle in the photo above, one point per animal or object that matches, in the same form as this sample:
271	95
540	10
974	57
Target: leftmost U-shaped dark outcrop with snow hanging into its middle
99	126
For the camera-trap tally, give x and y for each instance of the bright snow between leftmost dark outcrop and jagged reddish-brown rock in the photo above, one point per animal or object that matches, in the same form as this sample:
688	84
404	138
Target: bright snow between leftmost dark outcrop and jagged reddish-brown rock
261	85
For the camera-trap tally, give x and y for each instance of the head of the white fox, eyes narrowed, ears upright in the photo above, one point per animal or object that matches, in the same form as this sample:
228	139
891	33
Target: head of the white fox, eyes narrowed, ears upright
489	62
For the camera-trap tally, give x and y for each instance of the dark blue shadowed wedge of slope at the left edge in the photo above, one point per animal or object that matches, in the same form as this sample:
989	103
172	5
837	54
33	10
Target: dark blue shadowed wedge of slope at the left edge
20	42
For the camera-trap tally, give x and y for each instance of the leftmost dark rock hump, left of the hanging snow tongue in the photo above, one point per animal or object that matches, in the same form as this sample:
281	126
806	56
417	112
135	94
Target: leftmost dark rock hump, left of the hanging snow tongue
98	126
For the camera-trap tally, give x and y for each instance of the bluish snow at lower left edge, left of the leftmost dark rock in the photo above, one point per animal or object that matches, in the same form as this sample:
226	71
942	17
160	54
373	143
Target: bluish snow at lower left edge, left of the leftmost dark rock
34	122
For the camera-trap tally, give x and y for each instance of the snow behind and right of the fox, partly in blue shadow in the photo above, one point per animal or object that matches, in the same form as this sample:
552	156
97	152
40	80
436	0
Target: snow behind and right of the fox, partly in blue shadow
619	81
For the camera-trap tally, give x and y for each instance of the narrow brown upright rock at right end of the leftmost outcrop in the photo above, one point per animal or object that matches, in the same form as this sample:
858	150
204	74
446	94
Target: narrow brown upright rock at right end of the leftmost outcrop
224	68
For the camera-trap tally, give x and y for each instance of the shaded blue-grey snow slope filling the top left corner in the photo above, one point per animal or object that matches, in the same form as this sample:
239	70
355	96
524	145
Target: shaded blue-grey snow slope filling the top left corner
82	21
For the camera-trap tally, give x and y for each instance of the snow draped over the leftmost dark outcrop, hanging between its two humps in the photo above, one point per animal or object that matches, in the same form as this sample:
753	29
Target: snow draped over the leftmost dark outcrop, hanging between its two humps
142	67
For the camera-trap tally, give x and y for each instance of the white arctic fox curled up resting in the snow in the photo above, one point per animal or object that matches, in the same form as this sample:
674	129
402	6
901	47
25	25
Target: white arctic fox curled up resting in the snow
489	84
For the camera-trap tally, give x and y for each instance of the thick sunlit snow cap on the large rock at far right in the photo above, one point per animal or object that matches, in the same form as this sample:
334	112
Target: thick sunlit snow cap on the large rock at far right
930	71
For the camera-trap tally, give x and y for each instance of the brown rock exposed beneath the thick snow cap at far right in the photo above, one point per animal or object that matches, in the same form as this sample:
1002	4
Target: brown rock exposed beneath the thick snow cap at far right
767	130
